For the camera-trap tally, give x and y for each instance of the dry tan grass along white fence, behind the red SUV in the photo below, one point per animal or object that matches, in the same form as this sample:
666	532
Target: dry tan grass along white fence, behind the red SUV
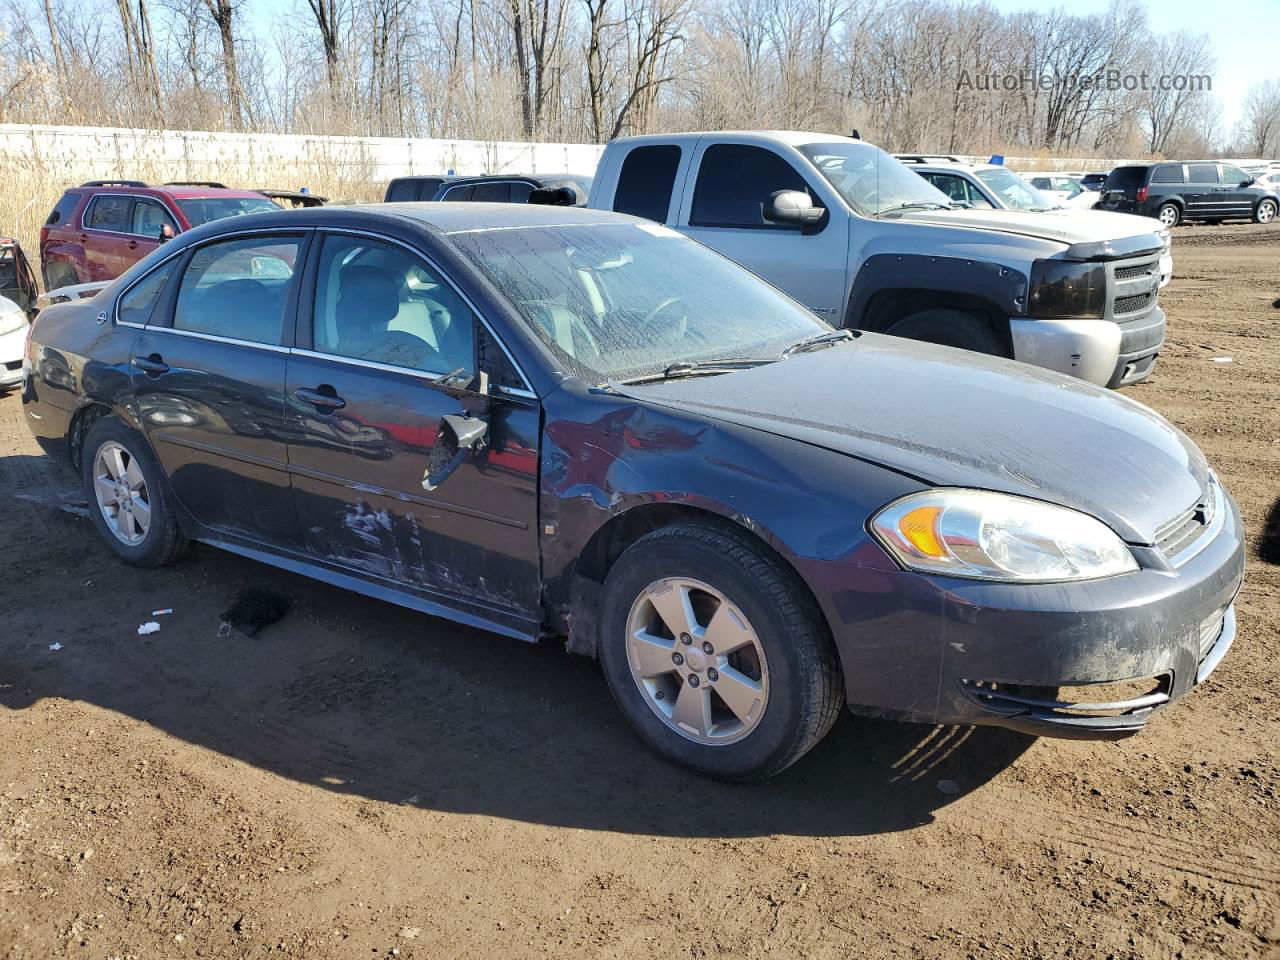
33	189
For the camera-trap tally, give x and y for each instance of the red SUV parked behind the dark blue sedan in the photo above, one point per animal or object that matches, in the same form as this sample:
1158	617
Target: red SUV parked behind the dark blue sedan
102	228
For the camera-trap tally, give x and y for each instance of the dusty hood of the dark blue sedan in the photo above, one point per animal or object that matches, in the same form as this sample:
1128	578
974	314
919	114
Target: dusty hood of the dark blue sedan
957	419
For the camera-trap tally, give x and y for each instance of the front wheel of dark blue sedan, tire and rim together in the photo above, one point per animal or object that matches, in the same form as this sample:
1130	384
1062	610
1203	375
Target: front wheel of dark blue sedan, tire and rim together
716	653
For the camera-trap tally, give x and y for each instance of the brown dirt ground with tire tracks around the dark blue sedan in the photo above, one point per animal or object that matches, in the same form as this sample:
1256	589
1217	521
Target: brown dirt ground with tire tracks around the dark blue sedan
363	781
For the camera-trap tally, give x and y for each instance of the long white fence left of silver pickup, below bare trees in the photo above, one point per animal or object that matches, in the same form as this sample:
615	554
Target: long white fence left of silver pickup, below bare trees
100	153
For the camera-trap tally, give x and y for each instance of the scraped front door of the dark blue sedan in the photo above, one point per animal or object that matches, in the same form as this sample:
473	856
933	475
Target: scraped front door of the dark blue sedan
382	488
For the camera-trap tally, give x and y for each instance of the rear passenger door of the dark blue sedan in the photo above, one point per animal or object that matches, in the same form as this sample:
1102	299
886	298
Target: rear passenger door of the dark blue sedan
208	378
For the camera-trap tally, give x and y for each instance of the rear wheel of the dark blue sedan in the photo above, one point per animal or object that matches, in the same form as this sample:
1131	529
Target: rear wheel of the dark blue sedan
129	499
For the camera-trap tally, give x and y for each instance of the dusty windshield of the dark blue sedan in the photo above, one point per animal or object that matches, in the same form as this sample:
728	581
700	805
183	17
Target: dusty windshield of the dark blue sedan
616	301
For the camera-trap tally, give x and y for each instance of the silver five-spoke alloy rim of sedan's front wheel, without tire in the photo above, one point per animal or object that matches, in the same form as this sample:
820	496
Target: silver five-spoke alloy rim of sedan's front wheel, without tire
697	661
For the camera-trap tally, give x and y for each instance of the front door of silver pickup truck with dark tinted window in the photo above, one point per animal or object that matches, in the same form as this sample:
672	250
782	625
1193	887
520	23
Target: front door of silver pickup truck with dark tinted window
723	207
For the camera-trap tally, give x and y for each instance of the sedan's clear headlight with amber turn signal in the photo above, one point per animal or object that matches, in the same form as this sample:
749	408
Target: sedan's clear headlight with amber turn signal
990	536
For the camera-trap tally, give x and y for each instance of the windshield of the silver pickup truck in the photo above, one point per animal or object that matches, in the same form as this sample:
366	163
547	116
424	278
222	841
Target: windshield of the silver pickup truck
871	181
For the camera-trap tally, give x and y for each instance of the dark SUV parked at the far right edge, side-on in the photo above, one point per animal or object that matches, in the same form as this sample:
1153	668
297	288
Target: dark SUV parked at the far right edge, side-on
1197	191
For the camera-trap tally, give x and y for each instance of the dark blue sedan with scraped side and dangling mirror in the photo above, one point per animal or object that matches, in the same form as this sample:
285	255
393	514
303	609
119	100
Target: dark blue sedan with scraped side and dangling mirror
550	422
